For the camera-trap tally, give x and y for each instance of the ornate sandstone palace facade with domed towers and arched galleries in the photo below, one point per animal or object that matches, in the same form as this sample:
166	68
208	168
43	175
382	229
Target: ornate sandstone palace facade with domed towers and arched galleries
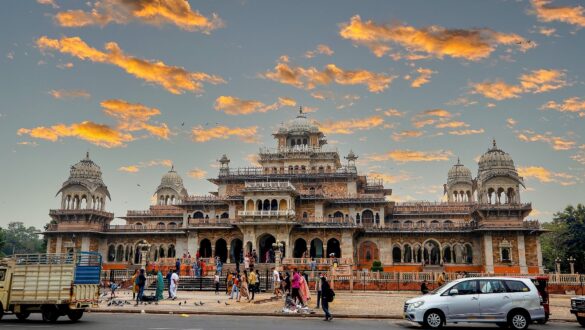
305	196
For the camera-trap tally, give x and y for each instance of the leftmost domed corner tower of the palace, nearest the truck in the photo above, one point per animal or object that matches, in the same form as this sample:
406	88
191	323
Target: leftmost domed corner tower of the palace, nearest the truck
77	224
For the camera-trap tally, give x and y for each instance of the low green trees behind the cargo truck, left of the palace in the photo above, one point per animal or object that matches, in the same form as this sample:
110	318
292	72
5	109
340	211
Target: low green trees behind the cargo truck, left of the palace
21	239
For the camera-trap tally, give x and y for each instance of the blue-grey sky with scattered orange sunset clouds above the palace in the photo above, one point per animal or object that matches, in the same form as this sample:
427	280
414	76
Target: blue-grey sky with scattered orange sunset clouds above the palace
409	86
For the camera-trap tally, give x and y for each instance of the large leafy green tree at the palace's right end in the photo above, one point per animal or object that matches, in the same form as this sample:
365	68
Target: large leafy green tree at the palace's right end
566	238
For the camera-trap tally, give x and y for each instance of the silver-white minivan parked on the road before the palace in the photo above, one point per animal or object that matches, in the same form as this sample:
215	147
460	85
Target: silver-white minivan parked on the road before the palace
505	301
